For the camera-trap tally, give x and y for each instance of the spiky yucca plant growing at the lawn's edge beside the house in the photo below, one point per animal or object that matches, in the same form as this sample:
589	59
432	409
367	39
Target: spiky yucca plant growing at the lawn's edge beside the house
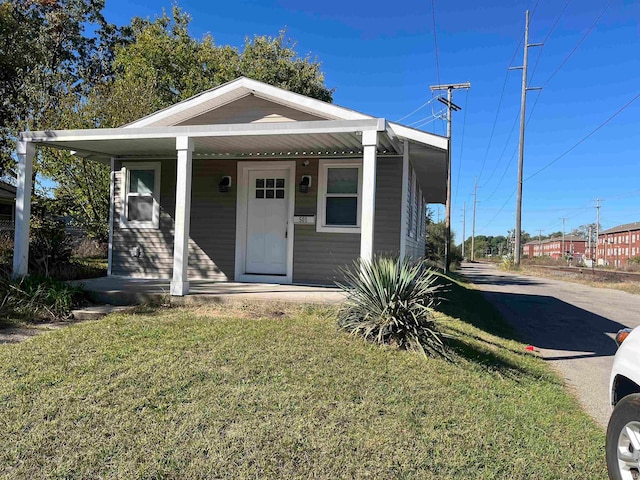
389	301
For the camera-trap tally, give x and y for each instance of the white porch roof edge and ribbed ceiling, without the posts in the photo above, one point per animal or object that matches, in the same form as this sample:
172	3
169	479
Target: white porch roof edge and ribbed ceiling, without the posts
259	140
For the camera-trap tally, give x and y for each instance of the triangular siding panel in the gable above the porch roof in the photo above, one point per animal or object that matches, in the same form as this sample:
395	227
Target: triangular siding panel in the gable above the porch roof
250	109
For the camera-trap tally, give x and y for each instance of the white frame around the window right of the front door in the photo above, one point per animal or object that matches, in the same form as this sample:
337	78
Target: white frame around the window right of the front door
323	167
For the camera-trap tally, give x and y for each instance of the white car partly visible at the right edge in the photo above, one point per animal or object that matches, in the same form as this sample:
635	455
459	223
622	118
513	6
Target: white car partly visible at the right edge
623	432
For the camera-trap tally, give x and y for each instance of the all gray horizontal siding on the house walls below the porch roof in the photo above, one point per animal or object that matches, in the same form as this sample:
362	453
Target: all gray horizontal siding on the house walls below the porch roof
316	256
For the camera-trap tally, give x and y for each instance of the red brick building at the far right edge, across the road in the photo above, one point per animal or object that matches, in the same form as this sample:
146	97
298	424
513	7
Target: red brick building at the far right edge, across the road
619	244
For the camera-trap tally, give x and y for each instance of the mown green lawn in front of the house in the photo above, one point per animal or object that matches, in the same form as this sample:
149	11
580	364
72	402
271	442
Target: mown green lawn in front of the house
273	391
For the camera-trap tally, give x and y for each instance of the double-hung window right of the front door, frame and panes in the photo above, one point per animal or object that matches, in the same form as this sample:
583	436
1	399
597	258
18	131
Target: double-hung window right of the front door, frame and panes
339	196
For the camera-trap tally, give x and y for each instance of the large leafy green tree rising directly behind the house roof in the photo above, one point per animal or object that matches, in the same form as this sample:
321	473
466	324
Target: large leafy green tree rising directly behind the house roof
152	65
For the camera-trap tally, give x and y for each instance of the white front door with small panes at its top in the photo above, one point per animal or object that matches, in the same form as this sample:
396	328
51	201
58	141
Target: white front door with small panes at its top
267	222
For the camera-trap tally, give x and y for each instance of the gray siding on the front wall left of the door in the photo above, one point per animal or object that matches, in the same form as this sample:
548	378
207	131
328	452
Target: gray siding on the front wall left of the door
213	226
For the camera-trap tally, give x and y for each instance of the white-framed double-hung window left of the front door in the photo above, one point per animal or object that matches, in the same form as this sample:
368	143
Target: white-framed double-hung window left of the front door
140	195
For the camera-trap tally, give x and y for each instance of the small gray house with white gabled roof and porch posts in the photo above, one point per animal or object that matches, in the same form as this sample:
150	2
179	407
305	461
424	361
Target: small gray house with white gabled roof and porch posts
252	183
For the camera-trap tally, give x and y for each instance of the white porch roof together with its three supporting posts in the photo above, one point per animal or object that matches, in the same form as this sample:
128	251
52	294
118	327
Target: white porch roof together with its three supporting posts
364	139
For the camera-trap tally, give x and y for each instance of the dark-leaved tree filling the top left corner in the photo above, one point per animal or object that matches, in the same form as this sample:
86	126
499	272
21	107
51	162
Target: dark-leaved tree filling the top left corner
46	58
